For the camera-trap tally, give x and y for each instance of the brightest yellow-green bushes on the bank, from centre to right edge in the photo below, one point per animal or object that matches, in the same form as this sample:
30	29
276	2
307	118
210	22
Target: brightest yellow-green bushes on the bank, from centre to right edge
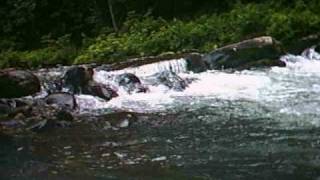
151	36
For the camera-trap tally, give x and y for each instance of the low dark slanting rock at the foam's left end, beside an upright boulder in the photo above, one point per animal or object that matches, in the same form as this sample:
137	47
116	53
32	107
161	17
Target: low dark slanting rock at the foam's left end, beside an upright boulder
100	90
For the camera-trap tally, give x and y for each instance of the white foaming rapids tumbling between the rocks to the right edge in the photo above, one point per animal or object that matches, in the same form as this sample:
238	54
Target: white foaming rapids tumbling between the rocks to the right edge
294	89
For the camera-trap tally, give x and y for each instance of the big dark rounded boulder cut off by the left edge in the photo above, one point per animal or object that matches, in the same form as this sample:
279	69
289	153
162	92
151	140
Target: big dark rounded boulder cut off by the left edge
18	83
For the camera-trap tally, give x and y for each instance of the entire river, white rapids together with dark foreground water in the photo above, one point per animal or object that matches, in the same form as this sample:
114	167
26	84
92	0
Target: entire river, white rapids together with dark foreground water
251	124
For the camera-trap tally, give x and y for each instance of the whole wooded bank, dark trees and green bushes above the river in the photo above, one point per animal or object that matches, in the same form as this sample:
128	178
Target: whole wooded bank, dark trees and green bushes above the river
40	32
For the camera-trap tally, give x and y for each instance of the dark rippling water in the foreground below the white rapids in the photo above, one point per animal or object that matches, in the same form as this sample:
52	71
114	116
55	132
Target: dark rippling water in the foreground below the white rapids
223	142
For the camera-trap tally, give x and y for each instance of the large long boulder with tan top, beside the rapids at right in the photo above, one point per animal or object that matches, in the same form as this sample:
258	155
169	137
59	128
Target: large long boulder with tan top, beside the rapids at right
258	52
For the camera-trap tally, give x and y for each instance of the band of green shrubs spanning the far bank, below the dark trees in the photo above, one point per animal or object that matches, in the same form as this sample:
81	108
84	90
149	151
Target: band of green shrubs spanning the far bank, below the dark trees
147	35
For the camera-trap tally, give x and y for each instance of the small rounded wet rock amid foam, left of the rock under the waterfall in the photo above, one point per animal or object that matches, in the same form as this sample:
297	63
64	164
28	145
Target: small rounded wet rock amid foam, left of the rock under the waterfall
131	83
